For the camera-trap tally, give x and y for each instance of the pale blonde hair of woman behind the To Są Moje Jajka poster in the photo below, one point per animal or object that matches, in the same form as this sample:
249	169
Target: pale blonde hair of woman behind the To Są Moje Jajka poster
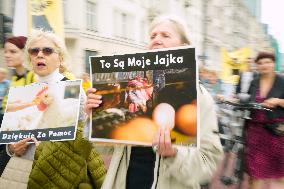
179	25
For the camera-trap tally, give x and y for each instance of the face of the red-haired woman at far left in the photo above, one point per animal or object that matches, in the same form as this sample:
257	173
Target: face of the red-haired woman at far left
14	57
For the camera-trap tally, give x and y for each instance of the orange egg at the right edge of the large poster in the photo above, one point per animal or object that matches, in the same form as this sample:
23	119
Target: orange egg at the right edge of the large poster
186	119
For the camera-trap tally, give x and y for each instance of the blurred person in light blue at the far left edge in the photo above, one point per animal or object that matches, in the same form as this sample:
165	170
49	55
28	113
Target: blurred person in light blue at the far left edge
4	88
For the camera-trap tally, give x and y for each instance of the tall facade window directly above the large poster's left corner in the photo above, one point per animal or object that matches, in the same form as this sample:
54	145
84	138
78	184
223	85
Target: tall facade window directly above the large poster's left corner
91	16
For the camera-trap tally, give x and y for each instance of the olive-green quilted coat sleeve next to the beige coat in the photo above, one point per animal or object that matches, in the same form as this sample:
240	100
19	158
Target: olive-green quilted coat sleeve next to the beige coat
96	168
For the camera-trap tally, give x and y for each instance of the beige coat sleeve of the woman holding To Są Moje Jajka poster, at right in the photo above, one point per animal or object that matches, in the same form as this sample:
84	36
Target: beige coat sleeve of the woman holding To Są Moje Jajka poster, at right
191	165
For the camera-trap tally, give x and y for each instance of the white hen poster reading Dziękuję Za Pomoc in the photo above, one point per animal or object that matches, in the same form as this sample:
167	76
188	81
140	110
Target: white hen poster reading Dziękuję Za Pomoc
47	112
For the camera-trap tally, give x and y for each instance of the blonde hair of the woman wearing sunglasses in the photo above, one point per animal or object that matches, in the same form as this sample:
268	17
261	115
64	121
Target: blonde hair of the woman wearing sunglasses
57	41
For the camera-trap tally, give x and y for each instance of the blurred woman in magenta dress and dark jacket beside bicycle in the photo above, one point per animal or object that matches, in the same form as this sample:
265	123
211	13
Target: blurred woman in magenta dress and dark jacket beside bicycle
264	149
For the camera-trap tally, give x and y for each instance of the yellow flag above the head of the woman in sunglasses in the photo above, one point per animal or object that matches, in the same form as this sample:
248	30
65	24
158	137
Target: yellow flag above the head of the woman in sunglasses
46	14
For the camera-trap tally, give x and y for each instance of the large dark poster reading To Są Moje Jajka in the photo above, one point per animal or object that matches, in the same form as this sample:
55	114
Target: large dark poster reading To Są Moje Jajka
139	100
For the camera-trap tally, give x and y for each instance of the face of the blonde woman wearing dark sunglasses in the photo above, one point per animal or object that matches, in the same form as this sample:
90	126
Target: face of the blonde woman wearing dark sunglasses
44	57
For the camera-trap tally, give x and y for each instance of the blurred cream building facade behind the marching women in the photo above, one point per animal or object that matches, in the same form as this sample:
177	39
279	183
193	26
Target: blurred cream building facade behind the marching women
107	27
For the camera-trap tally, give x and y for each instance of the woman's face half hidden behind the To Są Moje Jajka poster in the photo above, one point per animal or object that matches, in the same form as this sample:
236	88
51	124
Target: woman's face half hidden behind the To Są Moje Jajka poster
164	35
